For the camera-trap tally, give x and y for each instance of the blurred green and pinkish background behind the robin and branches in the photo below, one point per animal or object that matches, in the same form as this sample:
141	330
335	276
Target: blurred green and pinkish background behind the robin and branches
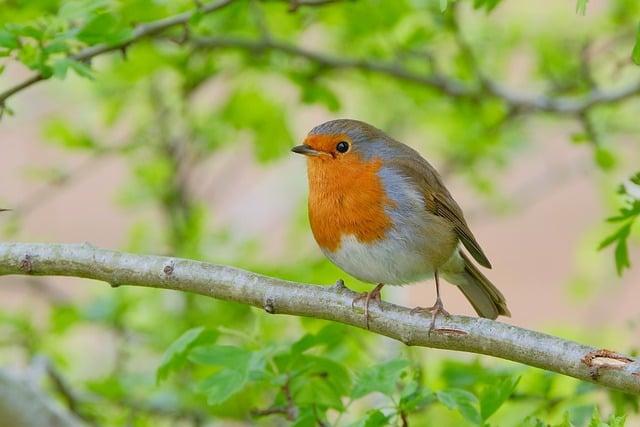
179	145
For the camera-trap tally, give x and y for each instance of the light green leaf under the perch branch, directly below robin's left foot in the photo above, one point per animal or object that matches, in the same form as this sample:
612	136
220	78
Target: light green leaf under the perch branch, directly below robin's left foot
381	378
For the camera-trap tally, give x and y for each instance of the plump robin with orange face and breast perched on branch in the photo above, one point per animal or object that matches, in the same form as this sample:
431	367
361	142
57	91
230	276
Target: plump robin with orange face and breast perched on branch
380	212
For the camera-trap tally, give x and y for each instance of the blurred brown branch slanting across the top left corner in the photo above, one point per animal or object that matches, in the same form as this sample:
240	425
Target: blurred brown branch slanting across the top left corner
140	32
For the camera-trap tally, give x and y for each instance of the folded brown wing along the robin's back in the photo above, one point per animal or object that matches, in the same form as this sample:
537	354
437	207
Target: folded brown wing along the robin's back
438	200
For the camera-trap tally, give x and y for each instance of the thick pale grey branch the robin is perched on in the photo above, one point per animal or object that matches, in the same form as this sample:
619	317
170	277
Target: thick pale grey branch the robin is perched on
481	336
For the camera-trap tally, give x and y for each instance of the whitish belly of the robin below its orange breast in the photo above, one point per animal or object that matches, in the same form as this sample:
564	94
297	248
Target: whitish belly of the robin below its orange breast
392	261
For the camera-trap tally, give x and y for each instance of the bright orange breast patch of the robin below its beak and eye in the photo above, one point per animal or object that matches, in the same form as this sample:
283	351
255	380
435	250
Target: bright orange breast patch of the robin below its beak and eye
346	196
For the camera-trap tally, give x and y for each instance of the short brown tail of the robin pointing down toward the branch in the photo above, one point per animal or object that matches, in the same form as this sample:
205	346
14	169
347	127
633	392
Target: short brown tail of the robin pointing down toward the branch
485	298
